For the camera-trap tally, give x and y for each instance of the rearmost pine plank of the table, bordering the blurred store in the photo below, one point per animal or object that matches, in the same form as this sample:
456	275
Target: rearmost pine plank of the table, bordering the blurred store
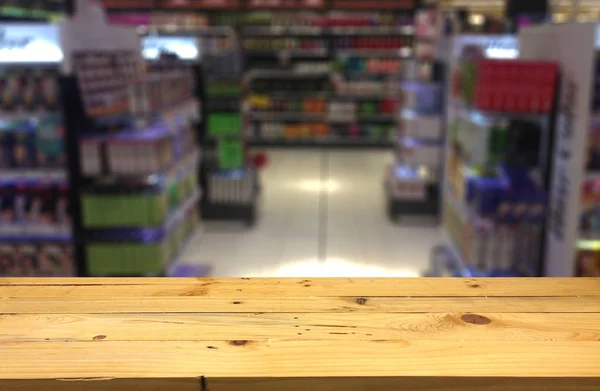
236	287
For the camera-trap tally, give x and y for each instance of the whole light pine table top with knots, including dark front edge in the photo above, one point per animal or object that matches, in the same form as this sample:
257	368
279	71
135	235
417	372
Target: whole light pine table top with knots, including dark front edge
262	334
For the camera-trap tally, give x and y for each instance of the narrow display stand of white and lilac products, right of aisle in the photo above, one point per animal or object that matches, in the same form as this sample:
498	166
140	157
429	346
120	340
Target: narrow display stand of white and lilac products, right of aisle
413	181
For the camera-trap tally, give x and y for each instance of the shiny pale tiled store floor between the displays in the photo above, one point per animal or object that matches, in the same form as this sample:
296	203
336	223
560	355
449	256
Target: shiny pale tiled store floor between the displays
322	214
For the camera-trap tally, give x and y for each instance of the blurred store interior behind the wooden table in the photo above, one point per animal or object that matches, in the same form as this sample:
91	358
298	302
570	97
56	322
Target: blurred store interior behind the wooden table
299	138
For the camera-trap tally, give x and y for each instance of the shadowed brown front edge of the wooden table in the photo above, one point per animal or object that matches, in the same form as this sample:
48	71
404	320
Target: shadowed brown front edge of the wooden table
312	384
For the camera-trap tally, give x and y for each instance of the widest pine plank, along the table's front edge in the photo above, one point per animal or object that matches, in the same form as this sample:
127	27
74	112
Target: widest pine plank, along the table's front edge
261	359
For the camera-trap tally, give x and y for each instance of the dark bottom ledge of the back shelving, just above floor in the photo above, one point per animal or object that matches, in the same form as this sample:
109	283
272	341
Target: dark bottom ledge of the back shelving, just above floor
349	142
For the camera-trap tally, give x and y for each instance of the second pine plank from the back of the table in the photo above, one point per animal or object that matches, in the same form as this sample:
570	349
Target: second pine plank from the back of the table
584	304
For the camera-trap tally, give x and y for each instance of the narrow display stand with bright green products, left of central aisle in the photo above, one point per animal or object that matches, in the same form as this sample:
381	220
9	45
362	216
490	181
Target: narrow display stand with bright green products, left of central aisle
229	182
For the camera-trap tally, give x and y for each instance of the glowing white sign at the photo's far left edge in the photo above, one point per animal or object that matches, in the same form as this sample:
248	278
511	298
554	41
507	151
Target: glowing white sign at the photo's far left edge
30	43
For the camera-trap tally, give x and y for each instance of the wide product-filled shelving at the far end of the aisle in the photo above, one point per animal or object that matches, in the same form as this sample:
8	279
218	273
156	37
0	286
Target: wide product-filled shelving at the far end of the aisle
325	77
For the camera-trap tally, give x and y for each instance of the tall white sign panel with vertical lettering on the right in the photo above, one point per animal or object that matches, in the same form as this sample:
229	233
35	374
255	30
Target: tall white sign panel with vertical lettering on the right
556	43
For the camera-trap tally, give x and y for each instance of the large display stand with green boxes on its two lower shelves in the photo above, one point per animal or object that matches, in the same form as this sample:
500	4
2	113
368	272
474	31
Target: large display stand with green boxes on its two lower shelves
133	156
